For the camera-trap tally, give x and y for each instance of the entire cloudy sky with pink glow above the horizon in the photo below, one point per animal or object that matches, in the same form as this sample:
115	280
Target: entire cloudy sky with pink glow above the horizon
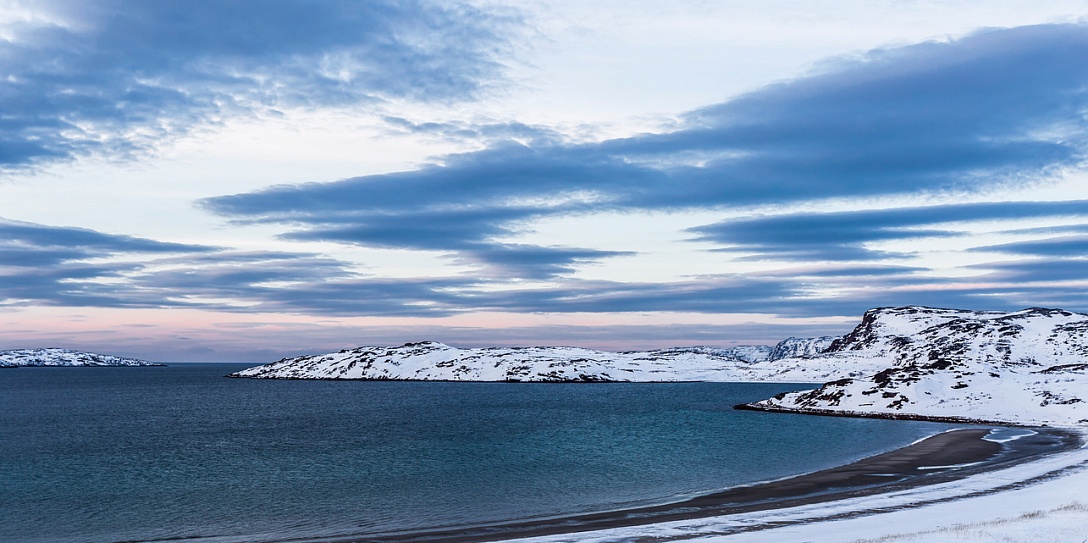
243	181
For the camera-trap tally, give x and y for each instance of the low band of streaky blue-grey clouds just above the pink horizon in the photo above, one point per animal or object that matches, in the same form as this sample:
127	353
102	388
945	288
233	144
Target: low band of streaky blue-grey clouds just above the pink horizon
81	268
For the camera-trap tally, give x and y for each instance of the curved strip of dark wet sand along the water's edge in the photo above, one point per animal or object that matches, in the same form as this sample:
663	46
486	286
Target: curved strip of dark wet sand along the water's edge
944	458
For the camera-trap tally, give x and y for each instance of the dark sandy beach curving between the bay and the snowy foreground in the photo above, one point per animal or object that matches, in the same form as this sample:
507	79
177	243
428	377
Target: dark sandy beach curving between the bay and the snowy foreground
942	460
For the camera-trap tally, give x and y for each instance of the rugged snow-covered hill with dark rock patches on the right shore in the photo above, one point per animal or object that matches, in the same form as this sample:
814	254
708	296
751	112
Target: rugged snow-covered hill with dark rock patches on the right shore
1025	367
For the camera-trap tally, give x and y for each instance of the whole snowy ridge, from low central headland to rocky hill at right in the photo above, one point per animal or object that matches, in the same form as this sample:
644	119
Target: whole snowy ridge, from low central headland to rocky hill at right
1028	367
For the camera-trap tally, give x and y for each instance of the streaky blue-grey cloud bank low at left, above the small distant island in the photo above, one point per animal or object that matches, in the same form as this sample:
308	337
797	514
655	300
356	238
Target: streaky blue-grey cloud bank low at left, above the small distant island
82	268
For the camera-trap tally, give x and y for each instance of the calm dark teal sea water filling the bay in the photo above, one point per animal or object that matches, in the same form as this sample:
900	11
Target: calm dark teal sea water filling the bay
145	454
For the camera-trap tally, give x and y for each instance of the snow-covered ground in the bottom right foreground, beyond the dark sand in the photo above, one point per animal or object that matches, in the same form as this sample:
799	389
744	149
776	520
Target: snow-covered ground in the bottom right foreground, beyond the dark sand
1037	502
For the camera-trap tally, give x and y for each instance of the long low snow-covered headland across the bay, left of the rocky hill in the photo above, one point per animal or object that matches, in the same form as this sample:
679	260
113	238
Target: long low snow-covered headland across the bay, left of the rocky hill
436	362
